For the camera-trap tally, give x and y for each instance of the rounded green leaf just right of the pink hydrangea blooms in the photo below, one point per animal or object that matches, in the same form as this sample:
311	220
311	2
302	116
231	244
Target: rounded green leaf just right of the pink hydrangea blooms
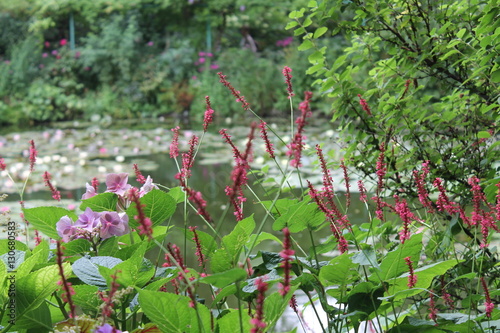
158	206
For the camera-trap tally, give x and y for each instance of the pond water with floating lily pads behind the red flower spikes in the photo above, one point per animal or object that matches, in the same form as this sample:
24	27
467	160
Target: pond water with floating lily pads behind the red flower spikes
75	155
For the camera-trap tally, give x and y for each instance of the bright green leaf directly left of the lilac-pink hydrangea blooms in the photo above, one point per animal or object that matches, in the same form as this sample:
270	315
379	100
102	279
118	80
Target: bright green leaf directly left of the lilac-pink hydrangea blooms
44	219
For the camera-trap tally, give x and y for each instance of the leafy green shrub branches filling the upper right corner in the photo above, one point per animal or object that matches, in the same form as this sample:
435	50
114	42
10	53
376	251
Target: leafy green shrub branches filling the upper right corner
420	78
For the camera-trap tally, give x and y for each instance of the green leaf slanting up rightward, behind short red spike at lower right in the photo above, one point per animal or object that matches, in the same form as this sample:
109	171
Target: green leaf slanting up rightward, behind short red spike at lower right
393	263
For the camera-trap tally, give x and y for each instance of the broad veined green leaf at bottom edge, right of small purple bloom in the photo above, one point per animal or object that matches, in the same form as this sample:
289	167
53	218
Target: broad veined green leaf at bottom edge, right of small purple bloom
173	314
